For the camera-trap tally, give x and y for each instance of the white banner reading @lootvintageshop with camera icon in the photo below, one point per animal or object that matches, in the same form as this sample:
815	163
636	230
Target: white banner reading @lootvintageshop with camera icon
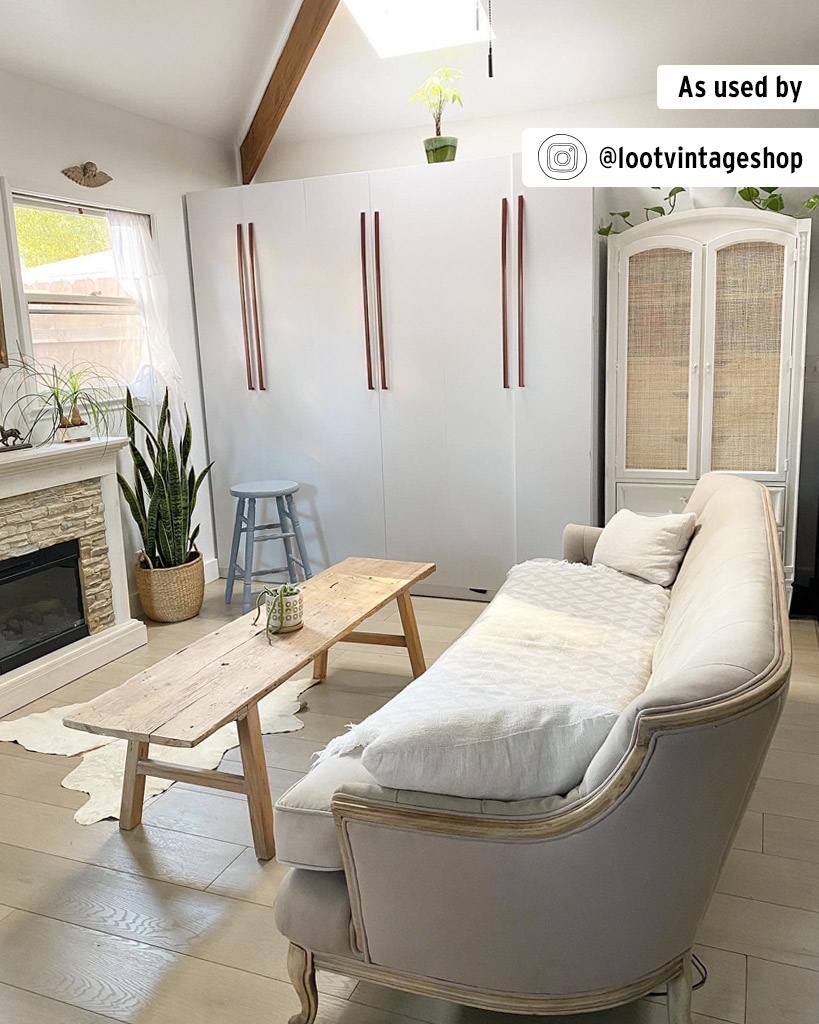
740	157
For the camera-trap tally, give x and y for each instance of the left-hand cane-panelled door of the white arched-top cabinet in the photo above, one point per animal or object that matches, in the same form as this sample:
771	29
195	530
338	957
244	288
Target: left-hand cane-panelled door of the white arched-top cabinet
658	360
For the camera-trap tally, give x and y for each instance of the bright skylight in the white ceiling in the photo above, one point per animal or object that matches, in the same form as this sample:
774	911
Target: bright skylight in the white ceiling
398	27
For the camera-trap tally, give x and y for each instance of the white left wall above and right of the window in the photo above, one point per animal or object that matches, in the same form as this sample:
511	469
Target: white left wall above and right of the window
44	131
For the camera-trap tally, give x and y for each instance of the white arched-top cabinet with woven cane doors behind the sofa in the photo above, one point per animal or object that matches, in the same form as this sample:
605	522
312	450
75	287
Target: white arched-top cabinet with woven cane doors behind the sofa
706	355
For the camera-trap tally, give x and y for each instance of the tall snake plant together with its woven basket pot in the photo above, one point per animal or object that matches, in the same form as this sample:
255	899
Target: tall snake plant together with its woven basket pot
170	574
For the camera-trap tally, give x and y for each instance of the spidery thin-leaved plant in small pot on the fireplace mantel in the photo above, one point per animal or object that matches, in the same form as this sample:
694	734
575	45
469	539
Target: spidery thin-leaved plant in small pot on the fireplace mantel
58	398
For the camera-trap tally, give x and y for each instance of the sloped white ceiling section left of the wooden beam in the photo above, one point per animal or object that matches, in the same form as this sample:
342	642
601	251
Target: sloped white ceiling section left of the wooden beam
199	65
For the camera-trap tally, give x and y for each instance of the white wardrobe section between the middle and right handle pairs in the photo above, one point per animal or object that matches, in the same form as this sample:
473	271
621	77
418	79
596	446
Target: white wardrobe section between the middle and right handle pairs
448	424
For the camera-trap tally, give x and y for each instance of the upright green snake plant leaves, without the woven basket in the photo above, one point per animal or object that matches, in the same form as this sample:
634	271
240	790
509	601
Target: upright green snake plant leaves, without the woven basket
164	493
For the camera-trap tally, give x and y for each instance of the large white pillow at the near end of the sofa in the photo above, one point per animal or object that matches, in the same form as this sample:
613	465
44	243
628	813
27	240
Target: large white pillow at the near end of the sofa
513	751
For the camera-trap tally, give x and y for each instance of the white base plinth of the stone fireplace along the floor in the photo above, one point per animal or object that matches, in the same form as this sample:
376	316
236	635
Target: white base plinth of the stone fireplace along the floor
34	680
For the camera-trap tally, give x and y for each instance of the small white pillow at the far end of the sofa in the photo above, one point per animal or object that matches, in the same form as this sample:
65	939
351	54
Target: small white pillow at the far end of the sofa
651	547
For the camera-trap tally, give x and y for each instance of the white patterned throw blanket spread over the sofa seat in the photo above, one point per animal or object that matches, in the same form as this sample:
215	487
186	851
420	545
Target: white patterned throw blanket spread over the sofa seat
557	630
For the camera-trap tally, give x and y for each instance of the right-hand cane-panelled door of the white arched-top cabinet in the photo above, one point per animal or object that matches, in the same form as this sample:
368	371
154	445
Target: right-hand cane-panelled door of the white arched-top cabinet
750	285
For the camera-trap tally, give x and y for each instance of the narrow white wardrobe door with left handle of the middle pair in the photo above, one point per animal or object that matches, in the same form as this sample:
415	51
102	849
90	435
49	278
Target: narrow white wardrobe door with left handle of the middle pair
346	435
